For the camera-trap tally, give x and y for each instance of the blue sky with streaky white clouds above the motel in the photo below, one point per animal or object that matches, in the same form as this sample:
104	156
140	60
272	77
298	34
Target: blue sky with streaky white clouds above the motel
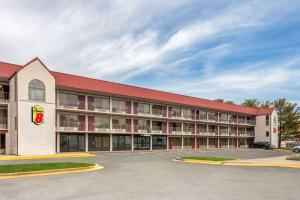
233	50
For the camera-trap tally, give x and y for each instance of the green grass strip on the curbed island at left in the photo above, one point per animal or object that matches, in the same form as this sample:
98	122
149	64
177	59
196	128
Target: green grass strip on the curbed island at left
4	169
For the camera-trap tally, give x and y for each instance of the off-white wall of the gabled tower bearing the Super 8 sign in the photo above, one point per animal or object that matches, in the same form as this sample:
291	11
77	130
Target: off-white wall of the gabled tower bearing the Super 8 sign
35	139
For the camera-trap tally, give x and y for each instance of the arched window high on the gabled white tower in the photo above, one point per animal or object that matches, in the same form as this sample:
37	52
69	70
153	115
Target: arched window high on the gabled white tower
36	90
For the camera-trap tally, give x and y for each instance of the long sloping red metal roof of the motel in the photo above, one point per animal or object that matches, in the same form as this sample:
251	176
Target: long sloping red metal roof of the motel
84	83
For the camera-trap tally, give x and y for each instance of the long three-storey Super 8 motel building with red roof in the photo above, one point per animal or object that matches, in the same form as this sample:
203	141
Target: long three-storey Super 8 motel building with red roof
45	112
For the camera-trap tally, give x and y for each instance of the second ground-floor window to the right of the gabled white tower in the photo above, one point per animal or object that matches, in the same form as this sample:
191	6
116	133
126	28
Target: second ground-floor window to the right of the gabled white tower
99	142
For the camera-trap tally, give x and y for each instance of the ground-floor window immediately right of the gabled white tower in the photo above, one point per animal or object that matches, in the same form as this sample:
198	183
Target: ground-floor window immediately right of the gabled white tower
70	142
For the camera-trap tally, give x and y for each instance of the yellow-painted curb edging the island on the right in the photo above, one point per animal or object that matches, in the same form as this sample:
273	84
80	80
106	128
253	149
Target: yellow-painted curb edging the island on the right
237	163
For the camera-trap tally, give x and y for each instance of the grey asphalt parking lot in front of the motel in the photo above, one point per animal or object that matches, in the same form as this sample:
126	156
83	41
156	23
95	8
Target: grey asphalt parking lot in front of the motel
153	175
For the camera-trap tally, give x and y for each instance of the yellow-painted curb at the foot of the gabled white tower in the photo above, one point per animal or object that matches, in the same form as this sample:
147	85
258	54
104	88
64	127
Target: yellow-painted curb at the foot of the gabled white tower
56	156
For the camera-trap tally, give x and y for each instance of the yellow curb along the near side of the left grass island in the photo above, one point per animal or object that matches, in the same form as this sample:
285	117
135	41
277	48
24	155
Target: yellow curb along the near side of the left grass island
50	172
